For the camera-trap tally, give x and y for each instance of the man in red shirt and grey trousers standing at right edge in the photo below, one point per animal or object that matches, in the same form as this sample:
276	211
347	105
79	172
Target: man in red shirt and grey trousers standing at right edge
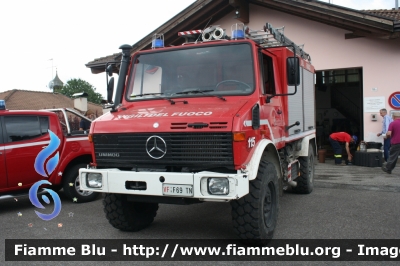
394	134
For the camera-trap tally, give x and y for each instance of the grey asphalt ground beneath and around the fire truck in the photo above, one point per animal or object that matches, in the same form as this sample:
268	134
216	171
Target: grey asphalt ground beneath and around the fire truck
340	207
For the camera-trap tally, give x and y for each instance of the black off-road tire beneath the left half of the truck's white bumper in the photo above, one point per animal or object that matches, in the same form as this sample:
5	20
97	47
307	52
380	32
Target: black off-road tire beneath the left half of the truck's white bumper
127	215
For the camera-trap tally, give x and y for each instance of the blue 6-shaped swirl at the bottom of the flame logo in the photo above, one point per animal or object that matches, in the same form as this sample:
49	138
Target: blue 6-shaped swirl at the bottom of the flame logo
35	201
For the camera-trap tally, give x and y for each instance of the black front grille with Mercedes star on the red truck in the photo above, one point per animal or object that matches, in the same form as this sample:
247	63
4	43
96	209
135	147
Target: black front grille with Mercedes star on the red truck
164	149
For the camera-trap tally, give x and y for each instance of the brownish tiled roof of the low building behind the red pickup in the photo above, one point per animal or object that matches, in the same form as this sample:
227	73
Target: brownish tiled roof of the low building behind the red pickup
36	100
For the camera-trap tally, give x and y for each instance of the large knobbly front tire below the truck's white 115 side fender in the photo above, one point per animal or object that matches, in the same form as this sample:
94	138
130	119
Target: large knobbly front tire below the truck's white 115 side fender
255	215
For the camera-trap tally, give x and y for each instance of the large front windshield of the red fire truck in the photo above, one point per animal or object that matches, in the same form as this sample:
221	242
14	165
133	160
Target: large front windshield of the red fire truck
212	70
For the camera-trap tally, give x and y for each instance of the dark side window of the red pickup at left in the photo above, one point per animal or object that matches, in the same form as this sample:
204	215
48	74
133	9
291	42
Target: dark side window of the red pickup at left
20	128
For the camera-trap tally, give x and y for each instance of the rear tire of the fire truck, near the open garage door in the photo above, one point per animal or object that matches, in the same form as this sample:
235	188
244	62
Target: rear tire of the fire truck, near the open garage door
305	182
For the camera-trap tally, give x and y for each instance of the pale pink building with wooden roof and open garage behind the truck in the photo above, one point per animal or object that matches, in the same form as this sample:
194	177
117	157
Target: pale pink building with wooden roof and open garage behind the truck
355	53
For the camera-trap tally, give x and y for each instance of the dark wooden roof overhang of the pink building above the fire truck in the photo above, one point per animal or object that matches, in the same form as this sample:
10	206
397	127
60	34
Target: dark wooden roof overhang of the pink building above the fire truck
206	12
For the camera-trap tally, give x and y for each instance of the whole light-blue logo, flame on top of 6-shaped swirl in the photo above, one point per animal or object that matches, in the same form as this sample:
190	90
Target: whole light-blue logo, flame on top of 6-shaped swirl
40	168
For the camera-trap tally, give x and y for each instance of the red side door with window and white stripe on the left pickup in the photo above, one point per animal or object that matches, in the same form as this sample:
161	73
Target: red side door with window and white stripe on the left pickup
24	139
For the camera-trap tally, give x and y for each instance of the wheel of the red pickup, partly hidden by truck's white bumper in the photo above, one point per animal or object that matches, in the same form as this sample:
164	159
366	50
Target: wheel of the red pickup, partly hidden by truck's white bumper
71	186
